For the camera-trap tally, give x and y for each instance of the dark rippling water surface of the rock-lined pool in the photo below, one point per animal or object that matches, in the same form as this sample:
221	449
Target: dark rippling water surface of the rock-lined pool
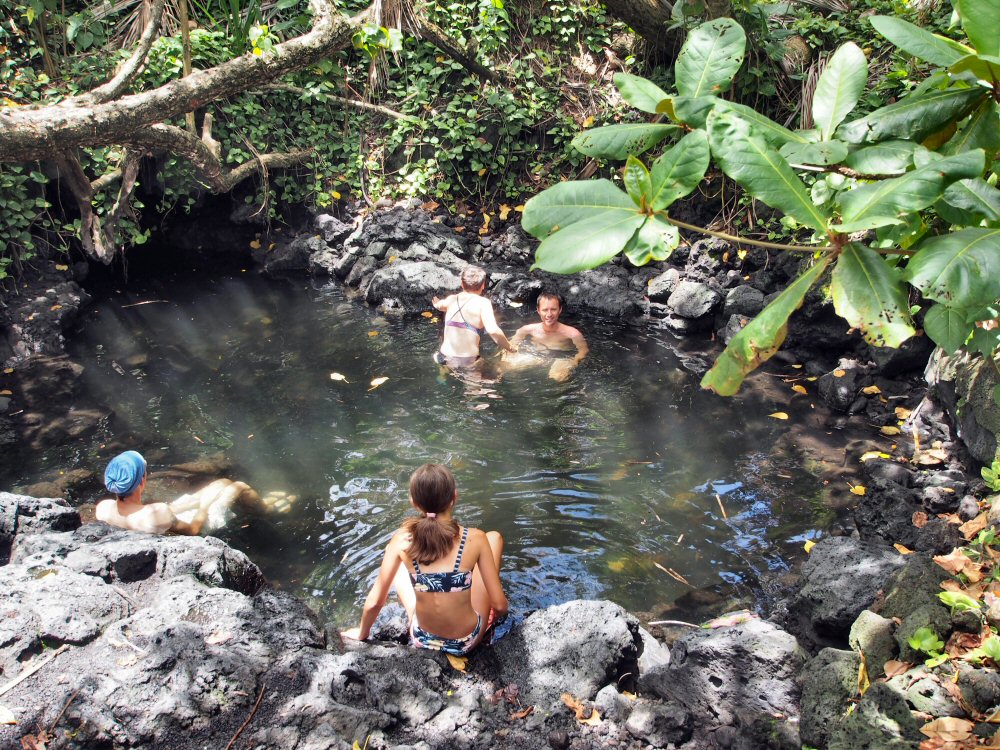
626	482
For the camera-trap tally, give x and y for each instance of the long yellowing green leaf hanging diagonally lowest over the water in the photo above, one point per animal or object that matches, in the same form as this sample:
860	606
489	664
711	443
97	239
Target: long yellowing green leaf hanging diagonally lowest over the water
761	337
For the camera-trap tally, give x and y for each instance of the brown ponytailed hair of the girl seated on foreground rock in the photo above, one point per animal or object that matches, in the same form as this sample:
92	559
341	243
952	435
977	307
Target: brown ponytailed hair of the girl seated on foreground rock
432	488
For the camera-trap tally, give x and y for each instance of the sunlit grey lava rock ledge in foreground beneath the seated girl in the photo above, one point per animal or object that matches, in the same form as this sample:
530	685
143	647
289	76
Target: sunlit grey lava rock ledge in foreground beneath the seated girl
114	639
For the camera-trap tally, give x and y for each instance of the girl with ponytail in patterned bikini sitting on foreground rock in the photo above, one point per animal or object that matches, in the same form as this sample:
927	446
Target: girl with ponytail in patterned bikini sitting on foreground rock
445	575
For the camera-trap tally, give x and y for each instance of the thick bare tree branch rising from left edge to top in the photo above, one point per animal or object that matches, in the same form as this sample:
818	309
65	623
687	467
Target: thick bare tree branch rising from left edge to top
27	133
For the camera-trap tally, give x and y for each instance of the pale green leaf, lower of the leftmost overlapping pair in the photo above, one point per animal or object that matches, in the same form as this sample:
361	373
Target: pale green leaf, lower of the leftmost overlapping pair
587	244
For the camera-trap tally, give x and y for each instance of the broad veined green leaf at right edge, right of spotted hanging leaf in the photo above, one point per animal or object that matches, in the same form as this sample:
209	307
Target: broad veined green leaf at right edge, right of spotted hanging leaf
960	269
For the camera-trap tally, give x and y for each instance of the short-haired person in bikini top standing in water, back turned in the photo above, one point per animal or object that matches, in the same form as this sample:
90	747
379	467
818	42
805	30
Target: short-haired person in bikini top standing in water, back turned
467	316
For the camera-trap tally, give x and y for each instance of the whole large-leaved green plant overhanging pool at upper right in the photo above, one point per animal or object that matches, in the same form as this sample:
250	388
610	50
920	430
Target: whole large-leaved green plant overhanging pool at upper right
898	197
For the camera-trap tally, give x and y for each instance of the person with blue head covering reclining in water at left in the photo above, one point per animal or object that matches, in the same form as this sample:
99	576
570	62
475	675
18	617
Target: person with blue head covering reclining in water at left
125	478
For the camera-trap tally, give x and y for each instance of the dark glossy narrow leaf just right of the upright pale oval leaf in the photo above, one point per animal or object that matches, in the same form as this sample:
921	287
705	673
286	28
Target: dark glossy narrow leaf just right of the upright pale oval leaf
914	117
